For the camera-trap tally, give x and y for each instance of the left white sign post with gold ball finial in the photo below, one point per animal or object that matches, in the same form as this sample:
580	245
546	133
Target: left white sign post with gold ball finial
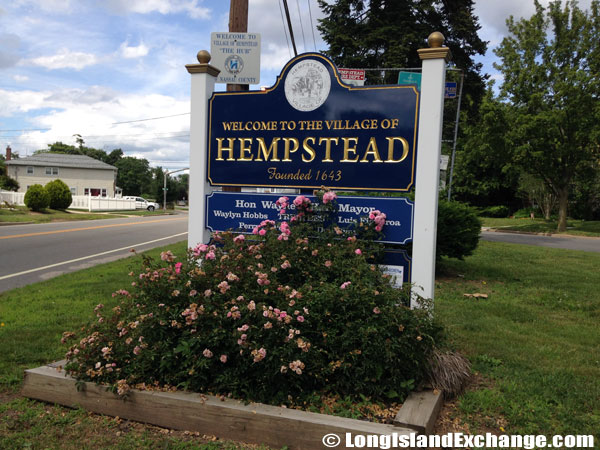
203	84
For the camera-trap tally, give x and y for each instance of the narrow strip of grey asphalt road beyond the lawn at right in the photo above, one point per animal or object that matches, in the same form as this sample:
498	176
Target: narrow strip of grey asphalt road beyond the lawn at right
586	244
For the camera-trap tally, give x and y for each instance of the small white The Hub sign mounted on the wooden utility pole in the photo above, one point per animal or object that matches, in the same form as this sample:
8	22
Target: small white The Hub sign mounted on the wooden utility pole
237	56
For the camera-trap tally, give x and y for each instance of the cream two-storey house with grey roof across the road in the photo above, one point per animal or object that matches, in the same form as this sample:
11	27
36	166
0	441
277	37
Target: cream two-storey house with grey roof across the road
83	175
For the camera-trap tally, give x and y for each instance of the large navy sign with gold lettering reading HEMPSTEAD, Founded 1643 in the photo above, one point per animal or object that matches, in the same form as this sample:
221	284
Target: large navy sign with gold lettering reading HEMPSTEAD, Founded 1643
312	130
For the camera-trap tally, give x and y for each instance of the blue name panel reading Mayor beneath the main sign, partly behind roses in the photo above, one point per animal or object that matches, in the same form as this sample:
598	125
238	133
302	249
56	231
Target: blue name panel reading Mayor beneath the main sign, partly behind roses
243	211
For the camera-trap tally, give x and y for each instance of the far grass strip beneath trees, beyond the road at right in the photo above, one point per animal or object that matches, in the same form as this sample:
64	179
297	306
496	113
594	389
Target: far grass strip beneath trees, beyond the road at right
574	227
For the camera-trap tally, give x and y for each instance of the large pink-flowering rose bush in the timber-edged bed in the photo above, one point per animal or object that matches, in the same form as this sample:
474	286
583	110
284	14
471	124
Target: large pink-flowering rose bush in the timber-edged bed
294	309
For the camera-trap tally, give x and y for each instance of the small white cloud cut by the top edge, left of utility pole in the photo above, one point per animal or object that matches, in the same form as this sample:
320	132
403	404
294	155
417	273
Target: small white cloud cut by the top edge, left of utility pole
191	7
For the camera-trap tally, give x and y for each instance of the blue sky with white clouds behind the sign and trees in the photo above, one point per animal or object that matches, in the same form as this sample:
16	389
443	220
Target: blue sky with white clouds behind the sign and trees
113	71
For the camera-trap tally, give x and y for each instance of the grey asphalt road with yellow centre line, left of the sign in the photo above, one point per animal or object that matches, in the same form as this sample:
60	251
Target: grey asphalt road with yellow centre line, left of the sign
32	253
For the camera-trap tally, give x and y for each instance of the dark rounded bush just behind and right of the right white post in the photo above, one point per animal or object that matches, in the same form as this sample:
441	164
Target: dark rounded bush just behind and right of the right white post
458	230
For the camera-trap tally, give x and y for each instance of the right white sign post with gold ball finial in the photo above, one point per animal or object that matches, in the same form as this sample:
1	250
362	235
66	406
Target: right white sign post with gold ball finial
428	167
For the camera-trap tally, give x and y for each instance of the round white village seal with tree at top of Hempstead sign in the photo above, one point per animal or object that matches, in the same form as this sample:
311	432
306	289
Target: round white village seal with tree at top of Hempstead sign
307	85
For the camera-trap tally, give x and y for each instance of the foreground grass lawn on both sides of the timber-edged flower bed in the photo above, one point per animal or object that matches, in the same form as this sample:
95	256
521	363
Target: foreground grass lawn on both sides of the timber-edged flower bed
534	343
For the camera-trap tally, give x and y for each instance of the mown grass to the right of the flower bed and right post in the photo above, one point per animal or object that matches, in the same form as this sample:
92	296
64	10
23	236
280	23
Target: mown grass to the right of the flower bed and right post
535	339
